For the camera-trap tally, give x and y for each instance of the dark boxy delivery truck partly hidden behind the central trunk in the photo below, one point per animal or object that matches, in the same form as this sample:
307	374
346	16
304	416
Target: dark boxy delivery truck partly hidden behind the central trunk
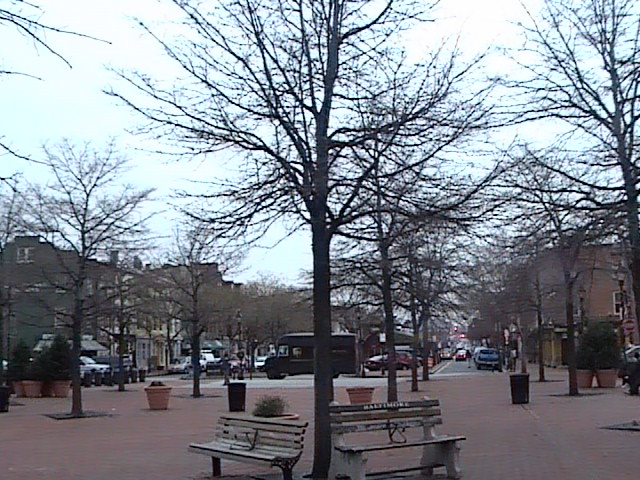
294	355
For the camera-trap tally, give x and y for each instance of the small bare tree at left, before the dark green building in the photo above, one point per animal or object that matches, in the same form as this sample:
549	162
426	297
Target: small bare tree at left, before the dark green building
83	214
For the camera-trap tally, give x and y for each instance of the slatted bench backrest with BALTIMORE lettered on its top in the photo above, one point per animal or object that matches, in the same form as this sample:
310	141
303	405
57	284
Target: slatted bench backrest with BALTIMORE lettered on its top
384	416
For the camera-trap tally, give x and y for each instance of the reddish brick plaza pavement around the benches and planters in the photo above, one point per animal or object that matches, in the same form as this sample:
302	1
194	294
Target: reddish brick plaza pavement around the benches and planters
552	437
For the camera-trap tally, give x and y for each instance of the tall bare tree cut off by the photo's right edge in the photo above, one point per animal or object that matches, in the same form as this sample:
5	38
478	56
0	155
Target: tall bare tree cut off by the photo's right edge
583	65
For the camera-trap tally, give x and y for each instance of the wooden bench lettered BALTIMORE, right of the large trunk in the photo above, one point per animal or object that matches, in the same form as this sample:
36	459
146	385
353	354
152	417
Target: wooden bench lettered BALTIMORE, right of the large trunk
376	427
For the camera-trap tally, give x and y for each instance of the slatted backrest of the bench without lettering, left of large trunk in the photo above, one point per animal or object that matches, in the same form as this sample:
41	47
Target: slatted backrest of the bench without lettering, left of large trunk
251	432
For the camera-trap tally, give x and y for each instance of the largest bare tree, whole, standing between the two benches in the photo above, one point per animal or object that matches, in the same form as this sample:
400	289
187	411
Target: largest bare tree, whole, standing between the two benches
285	83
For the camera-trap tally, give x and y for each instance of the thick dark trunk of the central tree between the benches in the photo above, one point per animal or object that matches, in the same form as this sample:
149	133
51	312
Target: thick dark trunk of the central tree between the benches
322	365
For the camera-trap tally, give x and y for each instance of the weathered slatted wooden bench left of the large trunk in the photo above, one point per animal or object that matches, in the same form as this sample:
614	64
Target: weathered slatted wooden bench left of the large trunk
257	440
